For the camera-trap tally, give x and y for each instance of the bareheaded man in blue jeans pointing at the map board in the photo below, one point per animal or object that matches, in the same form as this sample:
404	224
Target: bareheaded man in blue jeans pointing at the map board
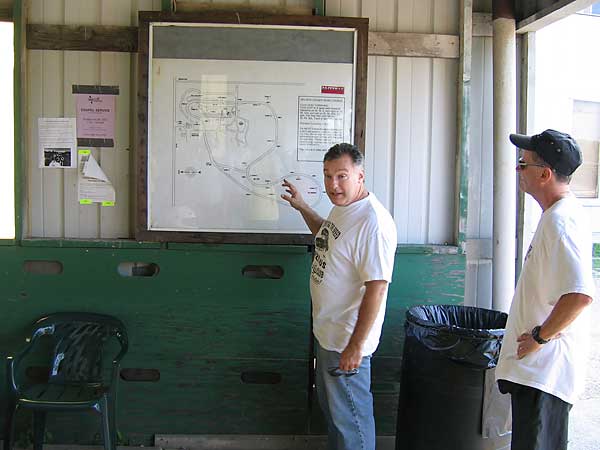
351	270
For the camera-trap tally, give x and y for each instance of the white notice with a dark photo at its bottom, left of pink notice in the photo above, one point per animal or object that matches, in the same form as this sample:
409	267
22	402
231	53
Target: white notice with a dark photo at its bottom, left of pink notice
57	142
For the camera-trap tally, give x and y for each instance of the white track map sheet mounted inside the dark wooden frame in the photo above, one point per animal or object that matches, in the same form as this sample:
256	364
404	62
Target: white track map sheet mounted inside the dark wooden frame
224	134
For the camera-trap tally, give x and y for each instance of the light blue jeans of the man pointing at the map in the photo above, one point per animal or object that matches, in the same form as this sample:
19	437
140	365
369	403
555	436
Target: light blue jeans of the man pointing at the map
346	402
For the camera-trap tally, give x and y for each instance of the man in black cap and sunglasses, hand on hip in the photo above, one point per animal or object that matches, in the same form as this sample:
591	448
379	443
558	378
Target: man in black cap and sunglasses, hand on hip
543	356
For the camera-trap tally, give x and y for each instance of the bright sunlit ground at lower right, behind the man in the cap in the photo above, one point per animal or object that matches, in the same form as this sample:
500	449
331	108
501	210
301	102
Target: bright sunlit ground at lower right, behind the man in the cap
584	426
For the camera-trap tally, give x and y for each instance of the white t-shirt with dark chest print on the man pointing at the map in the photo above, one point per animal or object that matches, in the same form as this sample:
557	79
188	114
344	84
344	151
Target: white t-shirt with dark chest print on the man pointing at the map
356	243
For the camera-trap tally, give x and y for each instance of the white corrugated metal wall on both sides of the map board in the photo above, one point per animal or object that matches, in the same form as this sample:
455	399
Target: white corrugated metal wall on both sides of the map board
411	119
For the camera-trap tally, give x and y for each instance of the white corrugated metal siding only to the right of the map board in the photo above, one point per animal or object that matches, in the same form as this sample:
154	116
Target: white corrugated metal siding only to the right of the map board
411	119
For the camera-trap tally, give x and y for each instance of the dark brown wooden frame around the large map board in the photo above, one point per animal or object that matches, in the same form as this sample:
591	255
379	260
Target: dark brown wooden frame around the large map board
360	26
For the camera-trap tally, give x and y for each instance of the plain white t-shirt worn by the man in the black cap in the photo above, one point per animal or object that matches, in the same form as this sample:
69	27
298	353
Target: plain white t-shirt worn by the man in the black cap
558	262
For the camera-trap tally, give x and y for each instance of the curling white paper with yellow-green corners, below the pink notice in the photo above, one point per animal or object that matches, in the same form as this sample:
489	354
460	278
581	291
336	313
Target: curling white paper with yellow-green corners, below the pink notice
93	186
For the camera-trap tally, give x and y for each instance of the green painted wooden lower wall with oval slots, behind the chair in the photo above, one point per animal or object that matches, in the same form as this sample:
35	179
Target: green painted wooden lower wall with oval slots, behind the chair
201	324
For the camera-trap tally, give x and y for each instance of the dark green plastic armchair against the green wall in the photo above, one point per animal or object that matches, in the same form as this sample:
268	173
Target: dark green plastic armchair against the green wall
76	380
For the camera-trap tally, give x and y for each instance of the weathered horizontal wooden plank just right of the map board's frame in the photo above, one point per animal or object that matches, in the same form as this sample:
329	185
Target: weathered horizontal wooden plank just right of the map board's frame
413	45
